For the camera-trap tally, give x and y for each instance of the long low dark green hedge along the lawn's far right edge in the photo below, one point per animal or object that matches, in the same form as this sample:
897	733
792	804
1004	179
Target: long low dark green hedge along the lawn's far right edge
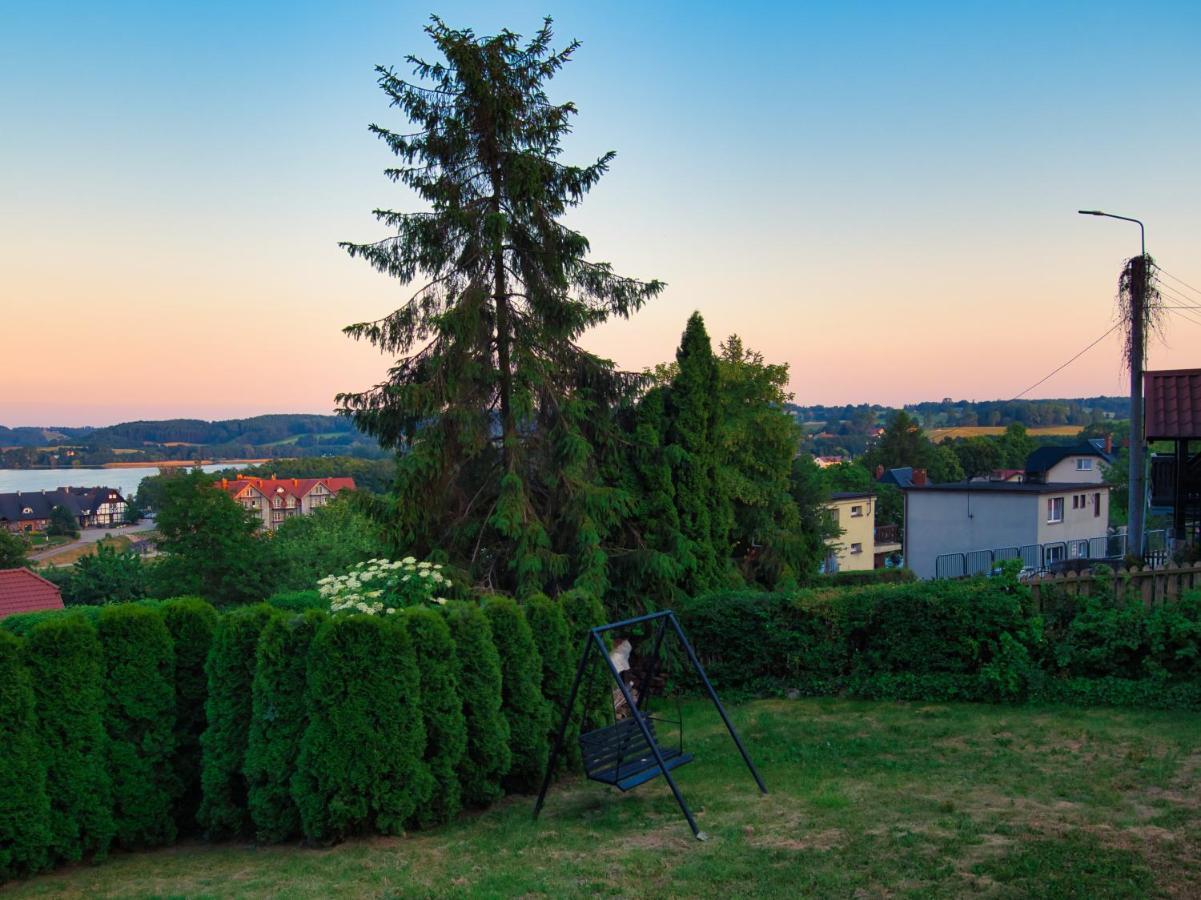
973	640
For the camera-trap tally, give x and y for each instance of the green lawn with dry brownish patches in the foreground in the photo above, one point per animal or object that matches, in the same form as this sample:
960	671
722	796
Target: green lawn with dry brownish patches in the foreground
868	800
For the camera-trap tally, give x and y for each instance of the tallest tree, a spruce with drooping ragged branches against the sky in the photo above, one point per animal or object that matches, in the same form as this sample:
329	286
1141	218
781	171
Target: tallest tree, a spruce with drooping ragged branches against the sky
492	397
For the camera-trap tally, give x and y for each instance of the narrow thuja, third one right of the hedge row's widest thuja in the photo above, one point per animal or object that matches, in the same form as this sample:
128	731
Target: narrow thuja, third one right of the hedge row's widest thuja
525	710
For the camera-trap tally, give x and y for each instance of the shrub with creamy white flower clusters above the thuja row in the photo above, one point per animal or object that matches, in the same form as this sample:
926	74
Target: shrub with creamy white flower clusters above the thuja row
383	587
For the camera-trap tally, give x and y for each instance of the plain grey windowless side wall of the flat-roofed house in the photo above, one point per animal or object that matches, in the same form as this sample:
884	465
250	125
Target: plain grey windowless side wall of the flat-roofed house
961	522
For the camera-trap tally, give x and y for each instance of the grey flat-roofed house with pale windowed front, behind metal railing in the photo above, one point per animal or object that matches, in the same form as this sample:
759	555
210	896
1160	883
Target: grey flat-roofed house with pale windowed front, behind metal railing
1041	523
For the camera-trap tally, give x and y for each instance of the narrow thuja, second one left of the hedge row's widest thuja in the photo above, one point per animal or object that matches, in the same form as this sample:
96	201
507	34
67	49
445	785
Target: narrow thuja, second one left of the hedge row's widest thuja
231	676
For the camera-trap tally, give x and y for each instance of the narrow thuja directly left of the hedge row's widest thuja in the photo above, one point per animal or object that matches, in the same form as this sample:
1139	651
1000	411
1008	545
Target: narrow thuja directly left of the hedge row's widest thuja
279	723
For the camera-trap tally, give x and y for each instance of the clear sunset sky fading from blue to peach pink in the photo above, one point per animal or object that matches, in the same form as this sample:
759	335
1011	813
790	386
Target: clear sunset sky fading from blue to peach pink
881	195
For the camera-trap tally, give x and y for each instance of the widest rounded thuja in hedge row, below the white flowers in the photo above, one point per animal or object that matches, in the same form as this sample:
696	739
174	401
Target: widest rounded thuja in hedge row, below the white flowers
361	764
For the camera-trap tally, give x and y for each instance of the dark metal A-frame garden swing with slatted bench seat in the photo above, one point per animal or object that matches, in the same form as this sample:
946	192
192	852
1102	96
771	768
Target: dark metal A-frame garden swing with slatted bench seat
614	741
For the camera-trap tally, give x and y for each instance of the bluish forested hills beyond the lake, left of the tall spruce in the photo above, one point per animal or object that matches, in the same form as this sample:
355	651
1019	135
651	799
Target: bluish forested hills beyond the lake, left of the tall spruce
255	438
